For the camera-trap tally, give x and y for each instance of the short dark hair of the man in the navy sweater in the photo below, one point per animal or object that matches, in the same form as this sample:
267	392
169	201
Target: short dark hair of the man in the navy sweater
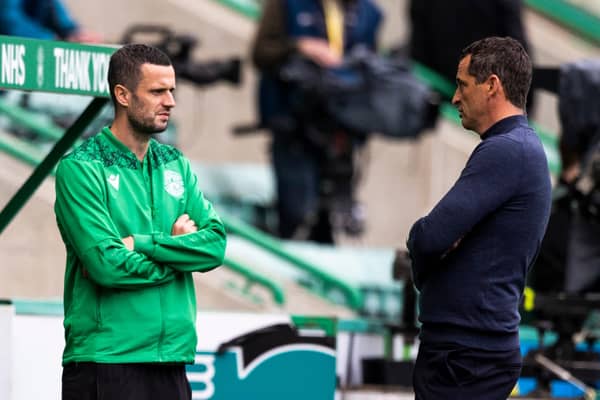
506	58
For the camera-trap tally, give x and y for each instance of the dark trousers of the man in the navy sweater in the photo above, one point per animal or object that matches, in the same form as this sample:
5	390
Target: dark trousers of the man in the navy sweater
451	372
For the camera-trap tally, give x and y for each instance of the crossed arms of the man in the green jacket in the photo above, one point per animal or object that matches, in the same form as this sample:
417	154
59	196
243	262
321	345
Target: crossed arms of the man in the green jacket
196	241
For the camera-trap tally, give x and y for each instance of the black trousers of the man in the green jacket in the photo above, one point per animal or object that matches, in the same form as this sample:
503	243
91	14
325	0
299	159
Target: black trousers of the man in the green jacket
91	381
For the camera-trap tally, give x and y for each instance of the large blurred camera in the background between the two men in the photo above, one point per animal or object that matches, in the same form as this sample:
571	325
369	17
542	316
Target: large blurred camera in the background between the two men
337	109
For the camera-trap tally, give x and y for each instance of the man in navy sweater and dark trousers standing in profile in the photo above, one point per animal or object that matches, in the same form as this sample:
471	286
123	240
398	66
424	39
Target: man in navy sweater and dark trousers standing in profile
471	254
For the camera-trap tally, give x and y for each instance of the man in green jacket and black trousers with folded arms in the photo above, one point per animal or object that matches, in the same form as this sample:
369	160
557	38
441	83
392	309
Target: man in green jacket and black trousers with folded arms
135	226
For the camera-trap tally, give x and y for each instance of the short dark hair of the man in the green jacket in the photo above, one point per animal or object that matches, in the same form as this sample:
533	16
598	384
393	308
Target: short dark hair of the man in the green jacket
125	63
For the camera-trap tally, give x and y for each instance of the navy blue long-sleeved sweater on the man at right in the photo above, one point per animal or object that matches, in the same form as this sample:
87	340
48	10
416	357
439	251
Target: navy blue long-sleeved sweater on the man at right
497	211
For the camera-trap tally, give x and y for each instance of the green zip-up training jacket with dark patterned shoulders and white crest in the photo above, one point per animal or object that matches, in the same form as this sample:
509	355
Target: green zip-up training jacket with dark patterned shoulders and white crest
135	306
